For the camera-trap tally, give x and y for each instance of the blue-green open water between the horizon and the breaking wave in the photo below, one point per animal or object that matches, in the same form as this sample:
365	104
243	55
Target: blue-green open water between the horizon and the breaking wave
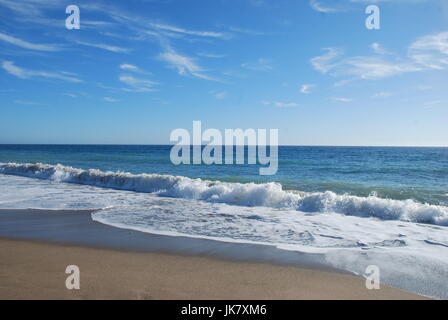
389	172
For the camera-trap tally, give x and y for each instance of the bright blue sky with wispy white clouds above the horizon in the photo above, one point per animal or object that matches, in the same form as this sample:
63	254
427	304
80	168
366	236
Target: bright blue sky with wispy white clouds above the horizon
137	70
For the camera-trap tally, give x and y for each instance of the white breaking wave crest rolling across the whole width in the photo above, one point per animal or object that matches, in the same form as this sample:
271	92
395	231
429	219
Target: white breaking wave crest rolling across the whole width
241	194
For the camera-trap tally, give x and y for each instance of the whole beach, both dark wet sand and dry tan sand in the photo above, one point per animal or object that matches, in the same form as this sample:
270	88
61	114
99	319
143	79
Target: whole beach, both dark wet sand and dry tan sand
124	264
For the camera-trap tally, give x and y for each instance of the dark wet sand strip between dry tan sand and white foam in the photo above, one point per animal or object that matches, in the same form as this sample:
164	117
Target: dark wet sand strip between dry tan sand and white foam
76	227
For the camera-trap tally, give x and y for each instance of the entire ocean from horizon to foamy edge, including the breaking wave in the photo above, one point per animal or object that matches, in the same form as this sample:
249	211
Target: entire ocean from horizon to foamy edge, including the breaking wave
355	206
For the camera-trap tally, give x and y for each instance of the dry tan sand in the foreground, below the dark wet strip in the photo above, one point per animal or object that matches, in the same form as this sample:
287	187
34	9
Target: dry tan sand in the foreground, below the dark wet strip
36	270
